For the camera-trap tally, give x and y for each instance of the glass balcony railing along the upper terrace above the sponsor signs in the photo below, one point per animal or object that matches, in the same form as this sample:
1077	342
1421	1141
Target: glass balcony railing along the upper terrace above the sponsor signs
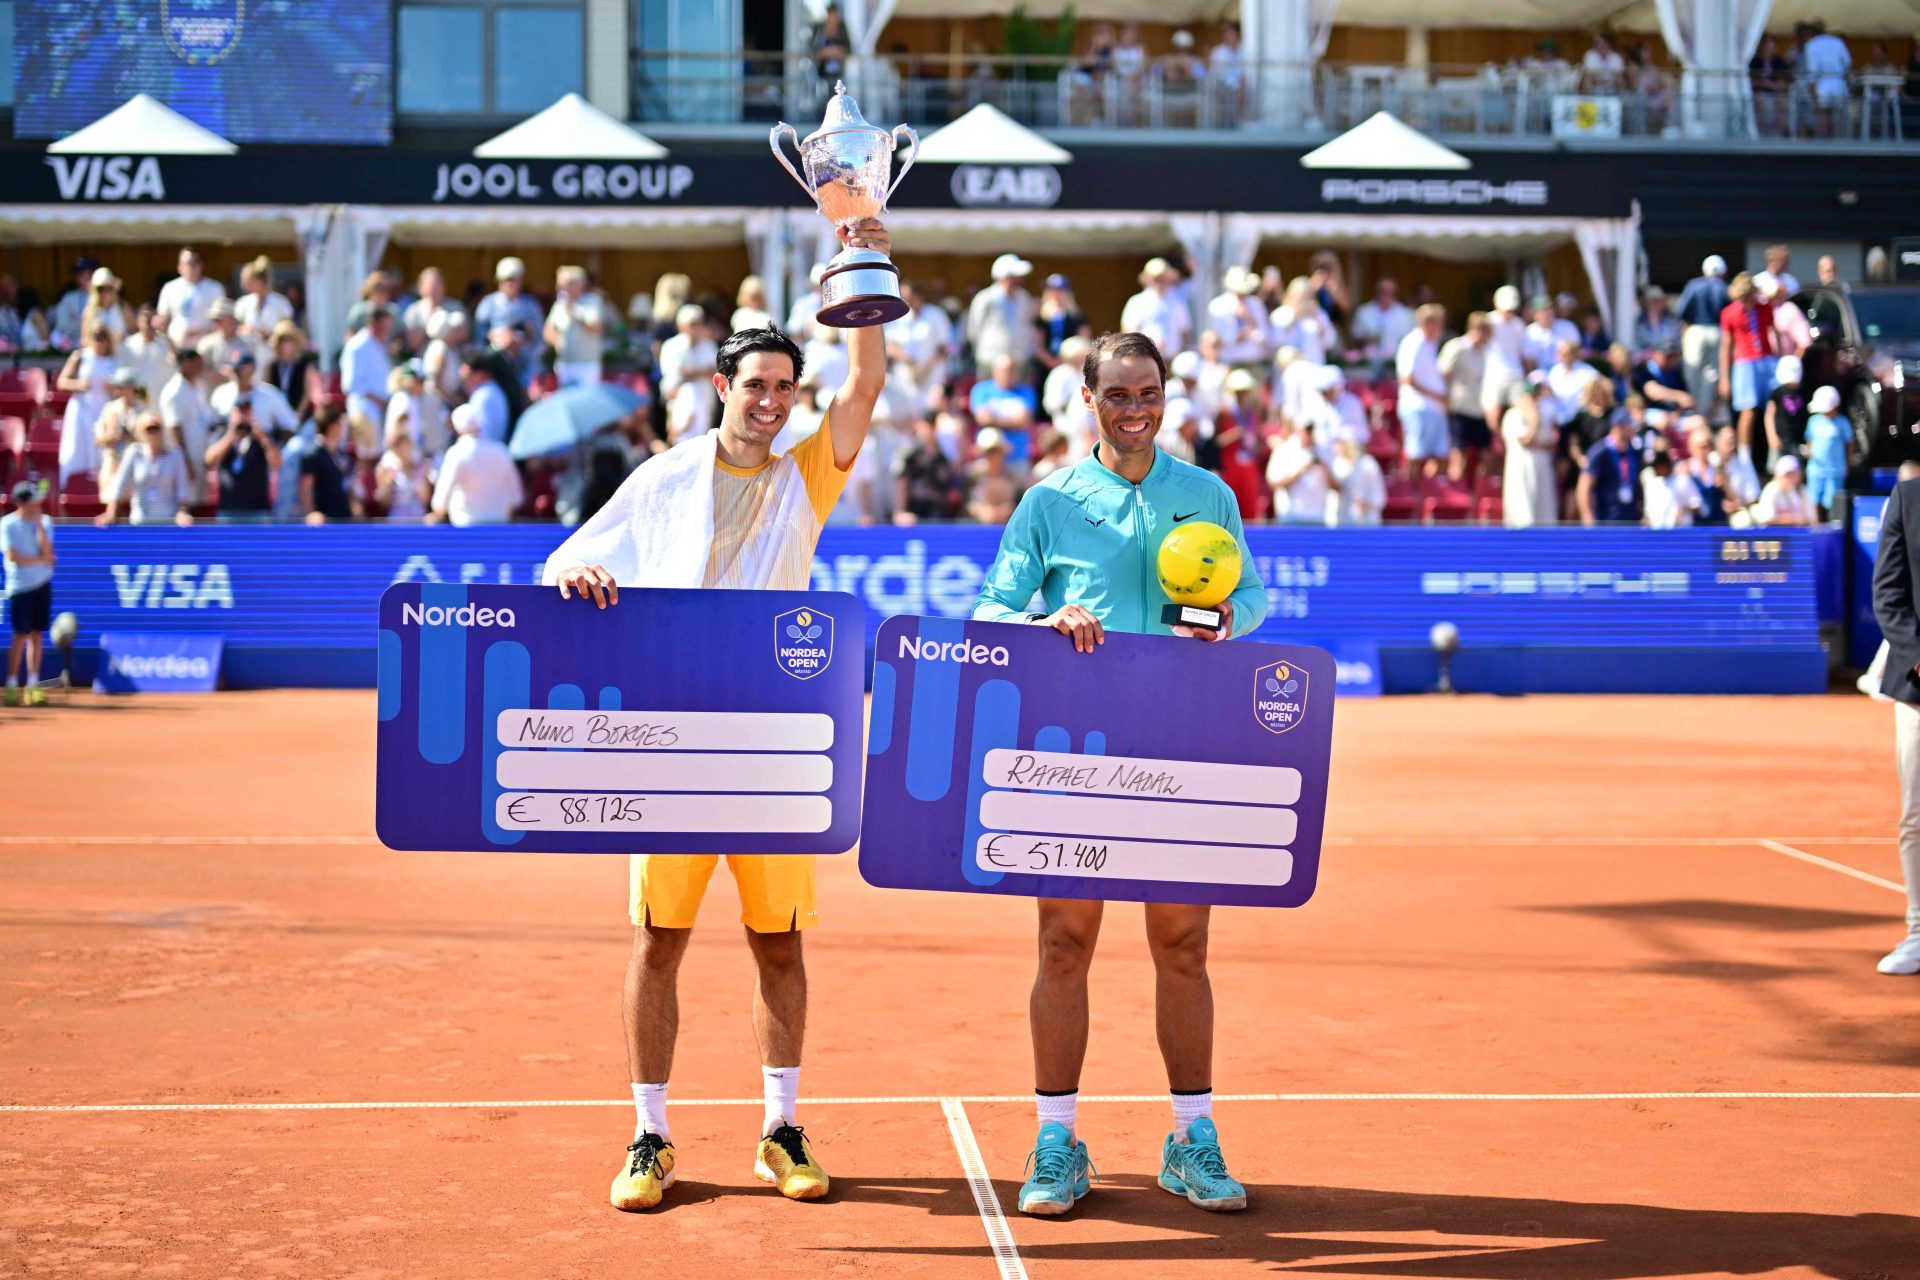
1547	103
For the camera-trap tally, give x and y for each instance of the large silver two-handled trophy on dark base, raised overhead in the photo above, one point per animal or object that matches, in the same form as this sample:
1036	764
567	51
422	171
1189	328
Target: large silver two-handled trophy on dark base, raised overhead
848	164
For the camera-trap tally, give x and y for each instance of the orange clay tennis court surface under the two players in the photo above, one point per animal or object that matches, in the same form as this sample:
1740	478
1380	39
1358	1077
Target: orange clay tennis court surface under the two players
1587	993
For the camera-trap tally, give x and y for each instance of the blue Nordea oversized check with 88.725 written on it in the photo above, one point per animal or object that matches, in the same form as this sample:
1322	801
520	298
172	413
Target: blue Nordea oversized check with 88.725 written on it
675	723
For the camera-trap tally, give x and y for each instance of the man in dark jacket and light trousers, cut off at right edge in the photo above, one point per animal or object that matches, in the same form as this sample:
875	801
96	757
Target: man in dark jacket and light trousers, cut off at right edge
1896	575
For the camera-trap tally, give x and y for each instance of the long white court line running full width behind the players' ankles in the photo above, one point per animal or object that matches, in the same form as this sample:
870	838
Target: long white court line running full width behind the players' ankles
120	1108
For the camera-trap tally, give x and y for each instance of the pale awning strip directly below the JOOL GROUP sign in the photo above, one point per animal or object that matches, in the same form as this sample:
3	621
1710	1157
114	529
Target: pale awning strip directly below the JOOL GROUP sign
606	227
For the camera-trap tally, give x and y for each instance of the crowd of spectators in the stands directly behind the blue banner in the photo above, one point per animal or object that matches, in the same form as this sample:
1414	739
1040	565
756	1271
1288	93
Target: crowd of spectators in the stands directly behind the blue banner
1314	402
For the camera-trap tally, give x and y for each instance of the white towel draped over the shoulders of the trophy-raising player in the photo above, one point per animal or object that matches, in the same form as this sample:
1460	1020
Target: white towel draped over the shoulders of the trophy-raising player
658	529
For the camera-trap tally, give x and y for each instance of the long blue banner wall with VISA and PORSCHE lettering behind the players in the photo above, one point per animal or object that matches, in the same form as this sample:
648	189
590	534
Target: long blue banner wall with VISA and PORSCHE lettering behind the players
1692	611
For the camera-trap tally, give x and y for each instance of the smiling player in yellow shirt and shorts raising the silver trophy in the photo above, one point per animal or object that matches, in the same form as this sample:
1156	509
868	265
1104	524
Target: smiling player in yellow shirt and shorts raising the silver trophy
767	517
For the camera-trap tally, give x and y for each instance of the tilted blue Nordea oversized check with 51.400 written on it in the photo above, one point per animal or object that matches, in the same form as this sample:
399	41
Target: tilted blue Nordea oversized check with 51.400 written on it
1151	770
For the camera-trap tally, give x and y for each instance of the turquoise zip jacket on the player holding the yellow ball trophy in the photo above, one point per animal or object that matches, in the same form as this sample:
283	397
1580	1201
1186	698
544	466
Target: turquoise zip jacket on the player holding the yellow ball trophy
1090	536
